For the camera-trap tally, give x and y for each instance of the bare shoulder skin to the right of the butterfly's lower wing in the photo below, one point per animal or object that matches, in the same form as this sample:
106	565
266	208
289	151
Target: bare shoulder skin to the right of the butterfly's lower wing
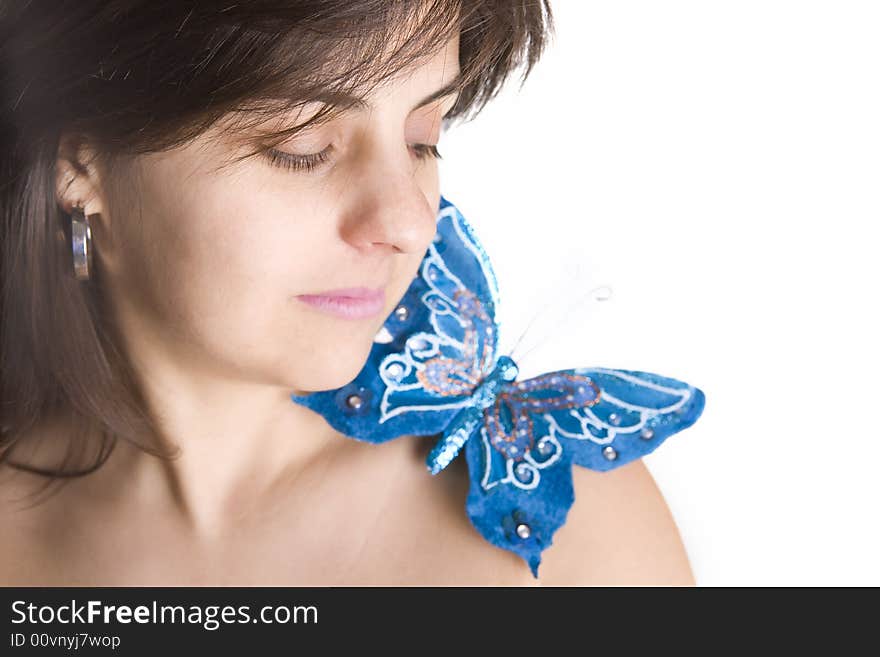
619	531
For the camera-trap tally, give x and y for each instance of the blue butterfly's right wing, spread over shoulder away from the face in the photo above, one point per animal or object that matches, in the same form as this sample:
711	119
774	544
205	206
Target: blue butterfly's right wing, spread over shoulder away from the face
520	468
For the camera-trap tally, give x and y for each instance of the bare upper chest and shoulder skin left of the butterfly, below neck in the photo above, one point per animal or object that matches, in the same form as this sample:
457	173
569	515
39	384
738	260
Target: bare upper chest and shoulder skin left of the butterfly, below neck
360	514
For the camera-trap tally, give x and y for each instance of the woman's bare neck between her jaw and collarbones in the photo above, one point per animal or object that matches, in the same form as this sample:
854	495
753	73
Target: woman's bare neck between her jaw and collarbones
237	441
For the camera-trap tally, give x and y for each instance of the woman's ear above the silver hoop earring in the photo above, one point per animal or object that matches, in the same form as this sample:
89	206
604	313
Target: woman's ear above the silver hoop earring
76	176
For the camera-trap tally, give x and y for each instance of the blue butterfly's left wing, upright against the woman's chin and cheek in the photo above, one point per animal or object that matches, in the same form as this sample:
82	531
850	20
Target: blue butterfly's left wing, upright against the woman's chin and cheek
432	350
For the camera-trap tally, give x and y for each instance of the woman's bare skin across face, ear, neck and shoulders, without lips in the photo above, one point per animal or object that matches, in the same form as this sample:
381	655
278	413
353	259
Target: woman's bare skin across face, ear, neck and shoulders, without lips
202	279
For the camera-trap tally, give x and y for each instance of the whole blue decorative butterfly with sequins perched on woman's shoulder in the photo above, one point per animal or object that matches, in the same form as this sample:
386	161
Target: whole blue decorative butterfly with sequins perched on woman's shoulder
435	369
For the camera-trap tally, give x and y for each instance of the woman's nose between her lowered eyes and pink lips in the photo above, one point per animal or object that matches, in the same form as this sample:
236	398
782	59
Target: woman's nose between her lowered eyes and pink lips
391	207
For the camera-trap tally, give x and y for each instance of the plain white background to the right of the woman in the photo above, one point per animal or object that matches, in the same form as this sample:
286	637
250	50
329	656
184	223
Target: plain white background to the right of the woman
717	165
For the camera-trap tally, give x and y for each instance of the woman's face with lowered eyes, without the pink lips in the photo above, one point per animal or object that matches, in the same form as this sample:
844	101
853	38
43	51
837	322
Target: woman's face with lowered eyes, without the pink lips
208	265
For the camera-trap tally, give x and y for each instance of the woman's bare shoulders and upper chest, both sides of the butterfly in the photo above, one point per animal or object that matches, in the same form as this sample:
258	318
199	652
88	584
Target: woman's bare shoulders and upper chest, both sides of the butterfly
360	515
